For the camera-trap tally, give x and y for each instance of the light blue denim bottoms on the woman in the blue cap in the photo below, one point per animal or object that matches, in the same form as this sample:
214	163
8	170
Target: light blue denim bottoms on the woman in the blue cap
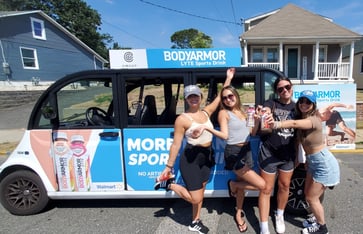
324	168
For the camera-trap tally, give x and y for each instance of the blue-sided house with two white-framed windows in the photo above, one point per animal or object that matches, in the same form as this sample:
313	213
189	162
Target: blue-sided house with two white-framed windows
34	47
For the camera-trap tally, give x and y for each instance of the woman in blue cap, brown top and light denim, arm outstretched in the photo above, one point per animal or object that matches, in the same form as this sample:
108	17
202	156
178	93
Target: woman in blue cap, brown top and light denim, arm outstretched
322	167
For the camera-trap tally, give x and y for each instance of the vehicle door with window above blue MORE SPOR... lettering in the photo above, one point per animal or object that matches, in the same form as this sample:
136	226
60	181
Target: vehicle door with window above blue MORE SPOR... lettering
154	100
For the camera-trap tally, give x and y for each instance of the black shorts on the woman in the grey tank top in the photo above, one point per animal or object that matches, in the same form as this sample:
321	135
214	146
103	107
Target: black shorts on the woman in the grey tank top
236	157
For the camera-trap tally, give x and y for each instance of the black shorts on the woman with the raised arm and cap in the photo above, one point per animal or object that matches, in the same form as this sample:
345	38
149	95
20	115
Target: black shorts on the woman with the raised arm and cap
195	166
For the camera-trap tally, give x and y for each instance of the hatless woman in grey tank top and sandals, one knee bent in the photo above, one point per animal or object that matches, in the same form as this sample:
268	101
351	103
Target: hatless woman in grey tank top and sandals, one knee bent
237	153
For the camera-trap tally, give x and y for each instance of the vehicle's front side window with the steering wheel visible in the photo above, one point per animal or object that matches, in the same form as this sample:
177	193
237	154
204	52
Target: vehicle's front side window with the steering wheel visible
85	103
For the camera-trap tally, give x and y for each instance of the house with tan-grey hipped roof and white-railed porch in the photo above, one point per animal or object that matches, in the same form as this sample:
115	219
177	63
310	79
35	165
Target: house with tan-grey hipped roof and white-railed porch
288	39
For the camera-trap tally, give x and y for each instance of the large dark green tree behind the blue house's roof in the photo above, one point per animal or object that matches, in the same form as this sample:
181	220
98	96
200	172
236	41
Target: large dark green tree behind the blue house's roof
74	15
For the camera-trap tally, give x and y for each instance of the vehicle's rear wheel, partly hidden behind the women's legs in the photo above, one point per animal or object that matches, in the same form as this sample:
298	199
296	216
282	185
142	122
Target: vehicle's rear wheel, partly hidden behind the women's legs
296	203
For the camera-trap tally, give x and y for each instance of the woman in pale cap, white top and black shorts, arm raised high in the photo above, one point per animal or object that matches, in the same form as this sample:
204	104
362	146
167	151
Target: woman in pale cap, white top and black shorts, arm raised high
195	165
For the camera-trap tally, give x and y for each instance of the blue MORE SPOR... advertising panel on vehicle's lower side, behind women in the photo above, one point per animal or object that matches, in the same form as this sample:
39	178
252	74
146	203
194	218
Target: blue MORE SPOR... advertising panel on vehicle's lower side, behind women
146	154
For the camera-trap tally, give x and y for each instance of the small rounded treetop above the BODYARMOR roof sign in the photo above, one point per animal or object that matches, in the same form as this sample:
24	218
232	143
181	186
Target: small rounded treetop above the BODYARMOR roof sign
190	38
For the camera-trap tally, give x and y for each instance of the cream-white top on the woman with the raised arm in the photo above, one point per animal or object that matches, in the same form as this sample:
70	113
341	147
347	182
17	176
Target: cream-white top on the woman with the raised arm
204	138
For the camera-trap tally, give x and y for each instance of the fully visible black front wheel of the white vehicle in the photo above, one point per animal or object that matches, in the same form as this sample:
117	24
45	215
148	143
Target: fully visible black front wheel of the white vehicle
23	193
